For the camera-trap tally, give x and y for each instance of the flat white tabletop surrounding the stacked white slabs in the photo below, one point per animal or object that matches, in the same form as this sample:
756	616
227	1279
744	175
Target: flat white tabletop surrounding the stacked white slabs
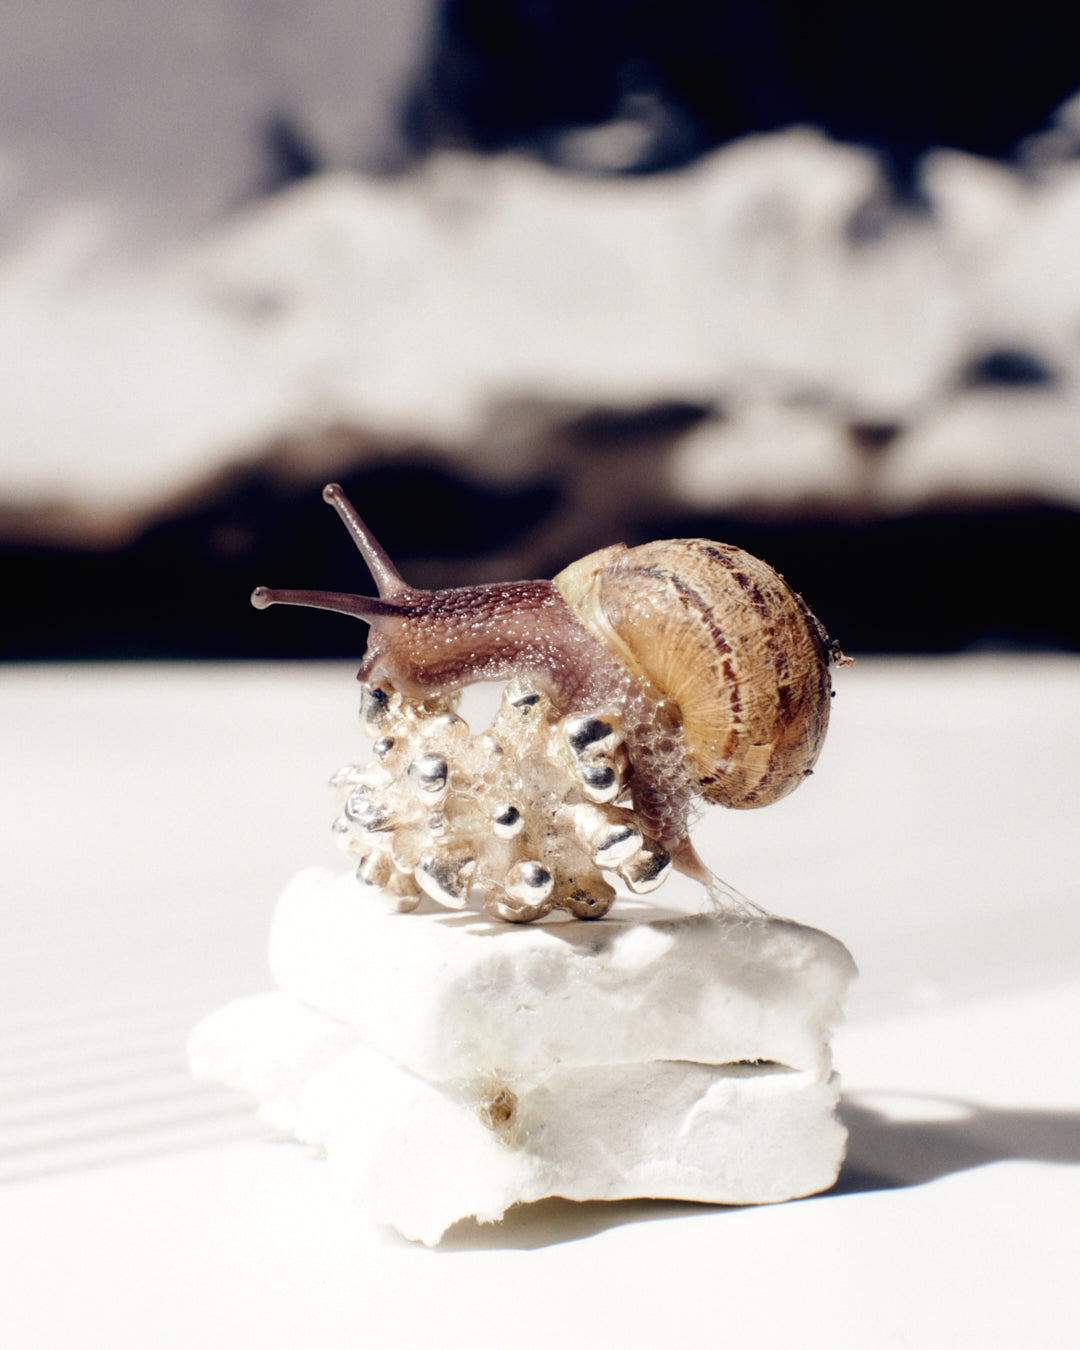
149	817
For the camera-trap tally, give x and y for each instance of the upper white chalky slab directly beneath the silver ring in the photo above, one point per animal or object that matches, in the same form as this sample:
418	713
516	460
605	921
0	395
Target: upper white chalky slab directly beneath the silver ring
443	993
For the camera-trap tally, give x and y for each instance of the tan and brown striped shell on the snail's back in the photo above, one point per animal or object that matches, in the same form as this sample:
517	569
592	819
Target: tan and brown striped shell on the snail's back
720	635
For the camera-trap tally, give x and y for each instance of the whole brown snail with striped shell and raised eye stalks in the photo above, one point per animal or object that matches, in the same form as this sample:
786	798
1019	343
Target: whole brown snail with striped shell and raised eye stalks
719	670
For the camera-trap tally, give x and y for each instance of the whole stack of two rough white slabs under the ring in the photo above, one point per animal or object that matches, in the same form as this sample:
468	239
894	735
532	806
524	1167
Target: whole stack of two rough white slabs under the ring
454	1066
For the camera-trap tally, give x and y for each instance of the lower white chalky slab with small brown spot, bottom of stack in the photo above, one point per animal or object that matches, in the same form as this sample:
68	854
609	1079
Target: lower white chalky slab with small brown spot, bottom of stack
421	1156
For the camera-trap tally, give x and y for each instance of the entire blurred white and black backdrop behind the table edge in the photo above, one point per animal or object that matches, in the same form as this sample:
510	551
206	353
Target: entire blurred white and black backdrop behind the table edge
530	279
